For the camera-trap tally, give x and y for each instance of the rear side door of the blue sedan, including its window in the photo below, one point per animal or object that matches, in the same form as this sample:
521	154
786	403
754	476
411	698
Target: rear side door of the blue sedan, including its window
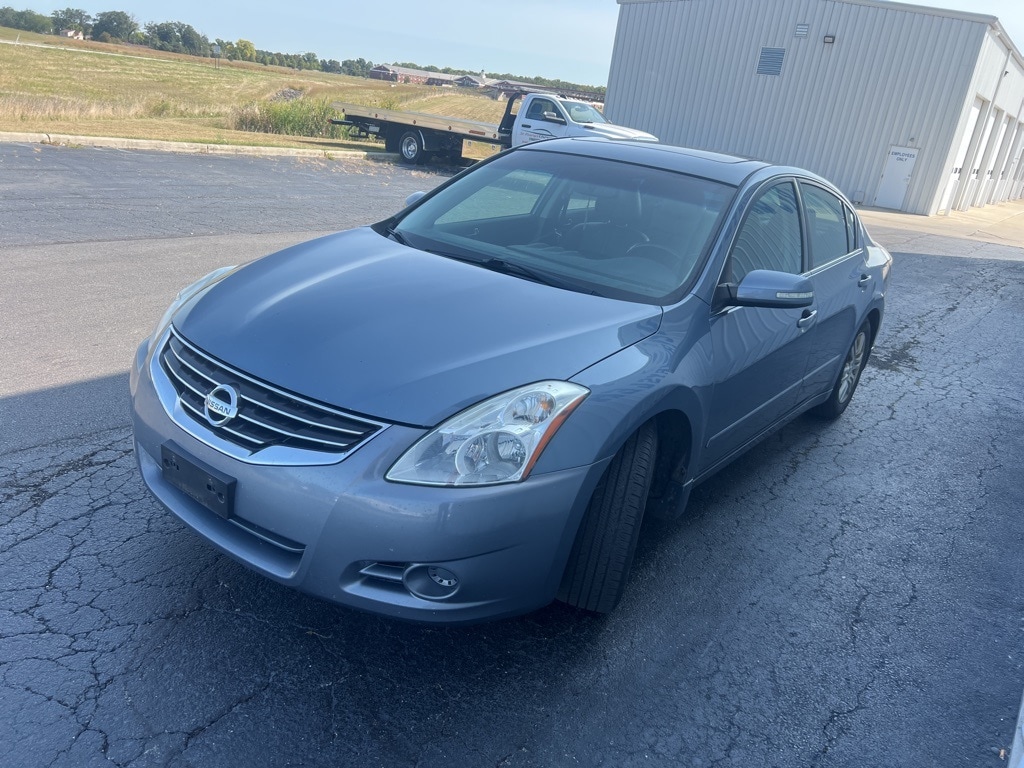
842	285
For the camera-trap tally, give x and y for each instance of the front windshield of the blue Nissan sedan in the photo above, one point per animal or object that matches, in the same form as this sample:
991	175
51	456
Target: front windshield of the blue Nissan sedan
584	224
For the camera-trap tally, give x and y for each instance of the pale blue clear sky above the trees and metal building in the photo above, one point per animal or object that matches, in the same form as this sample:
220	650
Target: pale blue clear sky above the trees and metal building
569	40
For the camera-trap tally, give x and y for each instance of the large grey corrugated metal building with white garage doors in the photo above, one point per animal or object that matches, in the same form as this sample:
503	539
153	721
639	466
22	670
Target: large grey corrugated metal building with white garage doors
904	107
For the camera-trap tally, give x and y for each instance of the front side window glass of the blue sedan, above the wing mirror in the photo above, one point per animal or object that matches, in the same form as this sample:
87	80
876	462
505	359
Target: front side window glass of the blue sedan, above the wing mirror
770	237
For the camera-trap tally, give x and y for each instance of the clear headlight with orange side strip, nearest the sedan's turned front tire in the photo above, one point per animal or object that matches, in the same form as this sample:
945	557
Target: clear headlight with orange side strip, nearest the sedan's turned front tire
498	441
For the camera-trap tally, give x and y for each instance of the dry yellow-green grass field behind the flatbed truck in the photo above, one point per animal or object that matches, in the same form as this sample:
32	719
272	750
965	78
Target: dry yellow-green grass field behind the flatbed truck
54	86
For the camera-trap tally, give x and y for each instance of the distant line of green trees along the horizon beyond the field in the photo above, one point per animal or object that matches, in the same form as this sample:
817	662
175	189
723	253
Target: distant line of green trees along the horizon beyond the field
119	27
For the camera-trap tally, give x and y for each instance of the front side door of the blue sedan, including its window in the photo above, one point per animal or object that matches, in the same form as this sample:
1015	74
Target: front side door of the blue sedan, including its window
759	354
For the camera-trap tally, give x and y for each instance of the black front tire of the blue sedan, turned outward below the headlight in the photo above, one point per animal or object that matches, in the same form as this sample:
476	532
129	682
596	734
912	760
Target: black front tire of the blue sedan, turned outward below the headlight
603	554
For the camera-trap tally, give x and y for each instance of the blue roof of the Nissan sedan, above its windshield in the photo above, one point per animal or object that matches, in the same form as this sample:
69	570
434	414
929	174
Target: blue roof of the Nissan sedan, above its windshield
727	168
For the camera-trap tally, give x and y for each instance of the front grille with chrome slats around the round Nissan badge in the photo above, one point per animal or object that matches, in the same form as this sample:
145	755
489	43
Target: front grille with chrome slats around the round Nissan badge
267	416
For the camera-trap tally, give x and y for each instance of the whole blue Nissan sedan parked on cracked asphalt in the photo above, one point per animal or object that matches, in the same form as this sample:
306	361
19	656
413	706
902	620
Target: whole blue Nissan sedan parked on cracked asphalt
465	411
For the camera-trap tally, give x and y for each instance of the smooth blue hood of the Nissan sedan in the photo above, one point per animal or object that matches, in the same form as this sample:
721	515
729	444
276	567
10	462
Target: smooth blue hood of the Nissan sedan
365	324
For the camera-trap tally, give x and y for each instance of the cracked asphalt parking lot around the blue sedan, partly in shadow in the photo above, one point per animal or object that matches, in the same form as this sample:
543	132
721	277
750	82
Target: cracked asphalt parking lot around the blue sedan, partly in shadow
846	594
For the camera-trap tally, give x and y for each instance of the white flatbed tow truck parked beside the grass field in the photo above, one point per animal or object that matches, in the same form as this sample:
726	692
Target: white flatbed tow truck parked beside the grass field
417	137
